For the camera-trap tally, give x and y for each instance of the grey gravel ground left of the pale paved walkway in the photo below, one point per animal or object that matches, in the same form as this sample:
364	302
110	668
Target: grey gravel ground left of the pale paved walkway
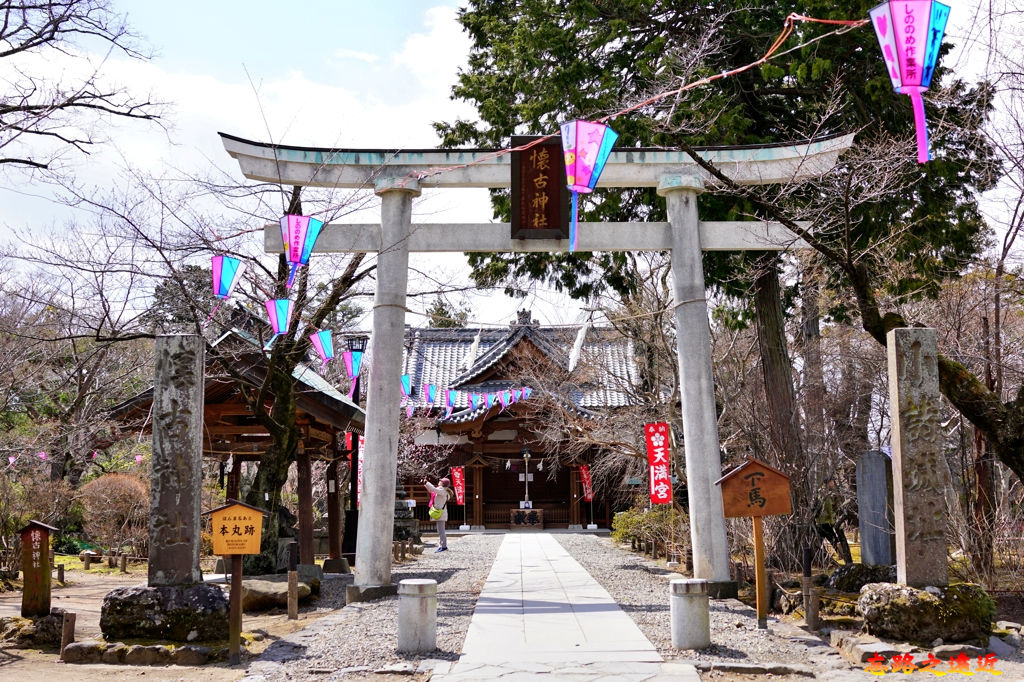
360	641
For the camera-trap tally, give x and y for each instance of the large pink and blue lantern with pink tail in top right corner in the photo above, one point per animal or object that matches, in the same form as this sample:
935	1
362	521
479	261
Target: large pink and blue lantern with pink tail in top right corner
910	34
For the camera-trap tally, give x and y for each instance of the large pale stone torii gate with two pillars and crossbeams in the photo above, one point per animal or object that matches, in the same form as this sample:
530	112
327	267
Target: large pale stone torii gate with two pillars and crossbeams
394	176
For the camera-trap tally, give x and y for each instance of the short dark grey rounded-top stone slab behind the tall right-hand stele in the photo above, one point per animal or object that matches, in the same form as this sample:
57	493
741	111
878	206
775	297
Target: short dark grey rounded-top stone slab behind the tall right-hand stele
875	509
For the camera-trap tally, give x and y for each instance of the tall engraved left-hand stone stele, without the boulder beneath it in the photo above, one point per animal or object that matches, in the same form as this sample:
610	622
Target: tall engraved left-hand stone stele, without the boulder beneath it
178	451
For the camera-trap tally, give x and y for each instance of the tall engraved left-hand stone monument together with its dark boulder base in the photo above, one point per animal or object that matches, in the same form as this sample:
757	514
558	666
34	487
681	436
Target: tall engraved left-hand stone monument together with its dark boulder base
176	605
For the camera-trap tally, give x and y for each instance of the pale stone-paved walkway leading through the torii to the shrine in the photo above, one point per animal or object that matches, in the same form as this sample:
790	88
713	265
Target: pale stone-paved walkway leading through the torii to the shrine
542	616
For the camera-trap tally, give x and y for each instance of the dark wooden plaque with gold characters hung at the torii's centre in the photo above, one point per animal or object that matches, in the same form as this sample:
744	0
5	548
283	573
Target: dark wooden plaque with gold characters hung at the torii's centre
540	197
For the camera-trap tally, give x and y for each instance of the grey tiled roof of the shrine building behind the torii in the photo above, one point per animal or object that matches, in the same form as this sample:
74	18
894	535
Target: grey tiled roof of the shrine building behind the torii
445	358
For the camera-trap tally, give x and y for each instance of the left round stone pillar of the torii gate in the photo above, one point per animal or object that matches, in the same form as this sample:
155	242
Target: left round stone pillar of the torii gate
380	468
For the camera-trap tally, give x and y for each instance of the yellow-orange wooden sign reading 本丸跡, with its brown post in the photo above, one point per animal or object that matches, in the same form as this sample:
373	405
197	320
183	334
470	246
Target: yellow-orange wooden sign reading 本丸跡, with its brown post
237	531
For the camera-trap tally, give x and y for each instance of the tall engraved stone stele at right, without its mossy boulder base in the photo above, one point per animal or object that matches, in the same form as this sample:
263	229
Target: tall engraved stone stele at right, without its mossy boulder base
920	475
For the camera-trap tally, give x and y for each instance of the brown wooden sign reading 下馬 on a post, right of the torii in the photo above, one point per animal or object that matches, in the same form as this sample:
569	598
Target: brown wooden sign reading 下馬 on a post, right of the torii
756	490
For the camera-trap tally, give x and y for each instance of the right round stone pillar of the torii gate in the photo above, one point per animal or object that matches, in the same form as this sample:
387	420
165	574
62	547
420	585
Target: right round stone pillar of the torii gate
697	387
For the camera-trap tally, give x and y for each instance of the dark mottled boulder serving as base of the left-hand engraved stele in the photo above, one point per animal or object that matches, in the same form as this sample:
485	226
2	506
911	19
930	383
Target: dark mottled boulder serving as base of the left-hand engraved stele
177	614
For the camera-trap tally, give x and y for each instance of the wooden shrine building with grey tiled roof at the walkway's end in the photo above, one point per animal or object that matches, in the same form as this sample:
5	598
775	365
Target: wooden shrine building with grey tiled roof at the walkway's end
492	443
